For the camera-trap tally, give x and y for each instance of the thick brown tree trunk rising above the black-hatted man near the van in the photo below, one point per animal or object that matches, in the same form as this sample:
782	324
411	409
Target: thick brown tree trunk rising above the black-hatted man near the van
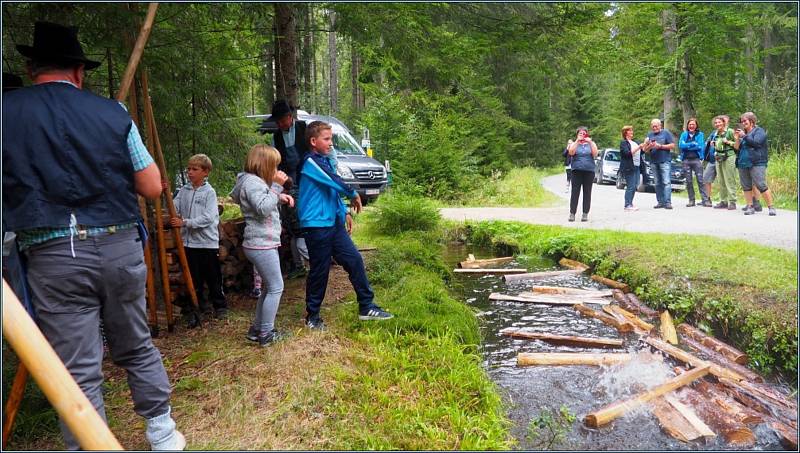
286	53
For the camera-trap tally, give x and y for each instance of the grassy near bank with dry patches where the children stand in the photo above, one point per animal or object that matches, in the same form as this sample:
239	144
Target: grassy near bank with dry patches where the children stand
414	382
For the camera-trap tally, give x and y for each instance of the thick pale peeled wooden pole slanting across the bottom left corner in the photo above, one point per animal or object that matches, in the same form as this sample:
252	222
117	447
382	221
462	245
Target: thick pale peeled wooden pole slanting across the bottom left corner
53	378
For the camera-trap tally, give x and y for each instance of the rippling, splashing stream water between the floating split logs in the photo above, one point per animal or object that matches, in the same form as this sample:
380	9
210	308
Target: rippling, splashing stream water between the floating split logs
581	389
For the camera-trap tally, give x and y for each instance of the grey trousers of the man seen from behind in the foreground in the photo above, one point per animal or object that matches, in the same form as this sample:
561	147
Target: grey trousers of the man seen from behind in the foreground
104	280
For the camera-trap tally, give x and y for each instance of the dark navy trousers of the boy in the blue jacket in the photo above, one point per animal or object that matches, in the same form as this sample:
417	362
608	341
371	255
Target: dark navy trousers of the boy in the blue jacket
327	242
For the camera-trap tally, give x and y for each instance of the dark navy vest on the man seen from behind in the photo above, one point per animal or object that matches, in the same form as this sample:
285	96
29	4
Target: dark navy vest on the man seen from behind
65	151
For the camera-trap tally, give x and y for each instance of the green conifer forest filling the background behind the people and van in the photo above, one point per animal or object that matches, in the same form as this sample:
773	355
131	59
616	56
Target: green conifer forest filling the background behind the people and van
453	94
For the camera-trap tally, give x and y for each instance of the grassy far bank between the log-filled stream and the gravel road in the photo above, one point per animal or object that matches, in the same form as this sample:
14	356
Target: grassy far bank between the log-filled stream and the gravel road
744	292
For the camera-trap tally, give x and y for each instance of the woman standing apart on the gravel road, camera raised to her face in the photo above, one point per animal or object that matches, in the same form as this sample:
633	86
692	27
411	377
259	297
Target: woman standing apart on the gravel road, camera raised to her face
582	151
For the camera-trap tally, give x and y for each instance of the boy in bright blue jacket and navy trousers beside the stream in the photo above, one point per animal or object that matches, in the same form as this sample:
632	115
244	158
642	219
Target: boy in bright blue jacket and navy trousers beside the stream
327	225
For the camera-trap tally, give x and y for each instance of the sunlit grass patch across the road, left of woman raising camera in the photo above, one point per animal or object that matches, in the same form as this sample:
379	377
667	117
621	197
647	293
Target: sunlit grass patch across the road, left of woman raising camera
521	187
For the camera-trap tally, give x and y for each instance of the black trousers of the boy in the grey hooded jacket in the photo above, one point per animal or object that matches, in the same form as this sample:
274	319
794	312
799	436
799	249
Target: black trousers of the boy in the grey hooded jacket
205	270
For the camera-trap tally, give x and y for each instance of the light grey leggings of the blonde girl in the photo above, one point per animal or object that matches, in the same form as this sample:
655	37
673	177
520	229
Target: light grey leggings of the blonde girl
267	263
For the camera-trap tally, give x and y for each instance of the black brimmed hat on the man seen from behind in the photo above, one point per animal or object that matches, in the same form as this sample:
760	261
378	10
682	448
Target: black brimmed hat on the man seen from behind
54	43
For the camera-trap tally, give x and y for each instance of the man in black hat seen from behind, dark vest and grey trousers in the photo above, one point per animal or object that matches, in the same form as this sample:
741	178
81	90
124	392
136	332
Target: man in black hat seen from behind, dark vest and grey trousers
73	163
